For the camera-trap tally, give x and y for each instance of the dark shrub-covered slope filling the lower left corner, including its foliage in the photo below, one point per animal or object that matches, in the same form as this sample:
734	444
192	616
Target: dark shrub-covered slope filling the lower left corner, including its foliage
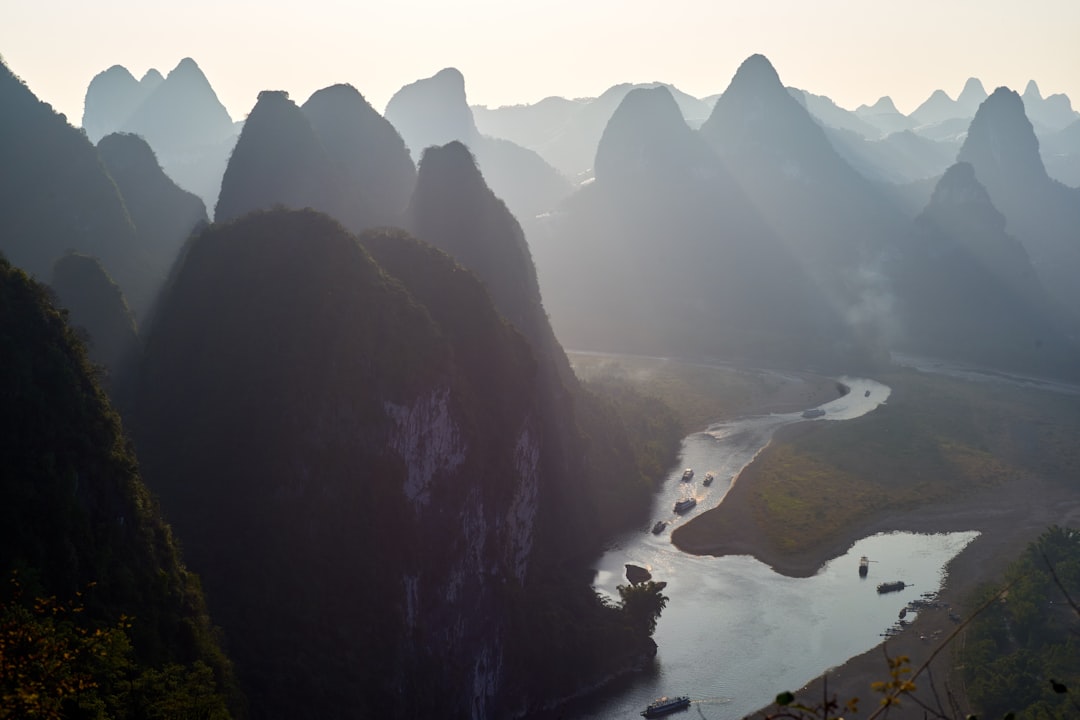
75	518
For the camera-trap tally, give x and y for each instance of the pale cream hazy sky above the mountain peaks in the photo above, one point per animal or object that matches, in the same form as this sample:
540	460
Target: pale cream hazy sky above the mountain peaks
521	51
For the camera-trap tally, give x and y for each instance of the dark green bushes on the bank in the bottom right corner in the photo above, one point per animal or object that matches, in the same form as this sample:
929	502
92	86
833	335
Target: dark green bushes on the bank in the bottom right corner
1020	651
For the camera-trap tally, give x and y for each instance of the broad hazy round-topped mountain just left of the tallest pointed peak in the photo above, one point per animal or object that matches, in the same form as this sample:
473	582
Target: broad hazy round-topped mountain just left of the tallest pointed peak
661	250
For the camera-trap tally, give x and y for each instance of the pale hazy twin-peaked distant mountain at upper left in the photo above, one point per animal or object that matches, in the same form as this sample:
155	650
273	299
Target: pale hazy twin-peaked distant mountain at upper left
180	116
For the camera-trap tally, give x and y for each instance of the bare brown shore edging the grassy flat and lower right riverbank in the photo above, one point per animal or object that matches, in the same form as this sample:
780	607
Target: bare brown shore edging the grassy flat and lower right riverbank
1008	518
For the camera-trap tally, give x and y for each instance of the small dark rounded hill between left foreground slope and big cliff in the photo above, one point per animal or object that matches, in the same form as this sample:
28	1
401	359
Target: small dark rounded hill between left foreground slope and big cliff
97	305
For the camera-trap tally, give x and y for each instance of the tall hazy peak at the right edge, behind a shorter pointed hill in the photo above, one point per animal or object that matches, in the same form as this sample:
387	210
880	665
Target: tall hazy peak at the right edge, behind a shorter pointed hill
1042	213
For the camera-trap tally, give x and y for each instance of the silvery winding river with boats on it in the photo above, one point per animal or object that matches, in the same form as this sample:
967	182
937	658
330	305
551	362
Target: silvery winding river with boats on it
735	633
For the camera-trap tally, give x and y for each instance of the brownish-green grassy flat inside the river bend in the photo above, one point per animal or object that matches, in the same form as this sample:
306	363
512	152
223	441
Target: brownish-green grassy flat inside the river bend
936	440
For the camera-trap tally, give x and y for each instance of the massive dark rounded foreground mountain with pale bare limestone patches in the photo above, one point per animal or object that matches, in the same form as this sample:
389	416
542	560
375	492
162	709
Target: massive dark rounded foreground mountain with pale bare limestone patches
353	461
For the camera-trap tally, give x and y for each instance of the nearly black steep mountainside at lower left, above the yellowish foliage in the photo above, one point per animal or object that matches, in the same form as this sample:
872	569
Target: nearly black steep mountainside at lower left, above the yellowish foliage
74	510
